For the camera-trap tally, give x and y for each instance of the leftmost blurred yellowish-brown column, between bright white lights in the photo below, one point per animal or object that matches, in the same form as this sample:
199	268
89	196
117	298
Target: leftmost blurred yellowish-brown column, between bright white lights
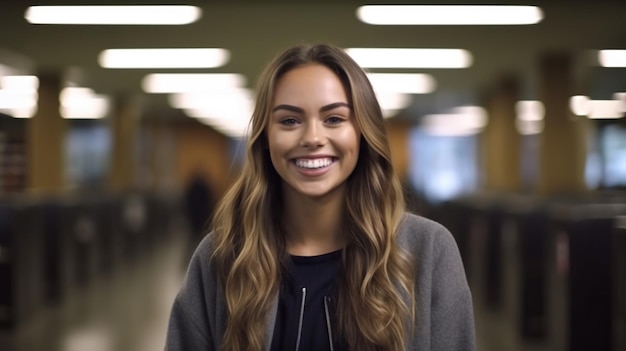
46	139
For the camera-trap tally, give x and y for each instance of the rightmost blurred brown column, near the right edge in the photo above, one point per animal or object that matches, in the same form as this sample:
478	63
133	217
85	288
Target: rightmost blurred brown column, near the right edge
562	144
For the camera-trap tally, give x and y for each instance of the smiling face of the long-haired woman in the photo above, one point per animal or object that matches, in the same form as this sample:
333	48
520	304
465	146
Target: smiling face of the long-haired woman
312	134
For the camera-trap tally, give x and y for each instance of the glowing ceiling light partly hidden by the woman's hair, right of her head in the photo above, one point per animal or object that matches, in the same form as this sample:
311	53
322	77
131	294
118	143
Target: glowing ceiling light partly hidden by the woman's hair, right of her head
410	58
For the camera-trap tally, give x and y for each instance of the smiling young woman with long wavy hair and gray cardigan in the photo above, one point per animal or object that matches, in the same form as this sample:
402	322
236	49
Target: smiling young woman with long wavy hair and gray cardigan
311	248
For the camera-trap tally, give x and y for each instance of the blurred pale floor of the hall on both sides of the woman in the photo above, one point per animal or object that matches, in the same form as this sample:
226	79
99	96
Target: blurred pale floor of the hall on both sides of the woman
128	311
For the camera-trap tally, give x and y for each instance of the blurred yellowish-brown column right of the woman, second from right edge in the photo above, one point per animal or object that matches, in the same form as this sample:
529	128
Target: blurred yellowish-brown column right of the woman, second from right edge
501	140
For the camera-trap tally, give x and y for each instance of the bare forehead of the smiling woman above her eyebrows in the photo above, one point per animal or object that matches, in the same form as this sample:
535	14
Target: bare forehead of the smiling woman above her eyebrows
309	83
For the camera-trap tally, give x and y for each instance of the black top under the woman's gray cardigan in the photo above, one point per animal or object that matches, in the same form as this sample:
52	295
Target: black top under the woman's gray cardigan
314	280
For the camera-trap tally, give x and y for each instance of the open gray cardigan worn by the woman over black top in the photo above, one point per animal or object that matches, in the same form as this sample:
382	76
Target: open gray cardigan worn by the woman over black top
444	321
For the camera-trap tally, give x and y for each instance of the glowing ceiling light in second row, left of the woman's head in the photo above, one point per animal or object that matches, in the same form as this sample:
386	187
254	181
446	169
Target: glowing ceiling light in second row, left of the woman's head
164	58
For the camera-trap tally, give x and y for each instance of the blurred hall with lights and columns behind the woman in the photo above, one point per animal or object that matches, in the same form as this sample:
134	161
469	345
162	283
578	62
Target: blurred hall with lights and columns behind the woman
506	125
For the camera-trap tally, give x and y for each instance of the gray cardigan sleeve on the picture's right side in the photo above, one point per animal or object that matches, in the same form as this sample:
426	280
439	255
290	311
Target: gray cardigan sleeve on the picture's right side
452	313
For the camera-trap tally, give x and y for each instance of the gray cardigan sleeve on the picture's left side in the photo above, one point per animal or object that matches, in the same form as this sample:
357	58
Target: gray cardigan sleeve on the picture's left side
189	326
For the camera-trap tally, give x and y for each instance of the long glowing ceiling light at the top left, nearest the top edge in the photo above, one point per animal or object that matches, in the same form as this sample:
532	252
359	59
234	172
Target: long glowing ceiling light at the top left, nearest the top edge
115	15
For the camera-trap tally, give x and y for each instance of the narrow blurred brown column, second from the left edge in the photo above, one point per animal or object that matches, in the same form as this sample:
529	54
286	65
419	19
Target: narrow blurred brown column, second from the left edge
124	123
